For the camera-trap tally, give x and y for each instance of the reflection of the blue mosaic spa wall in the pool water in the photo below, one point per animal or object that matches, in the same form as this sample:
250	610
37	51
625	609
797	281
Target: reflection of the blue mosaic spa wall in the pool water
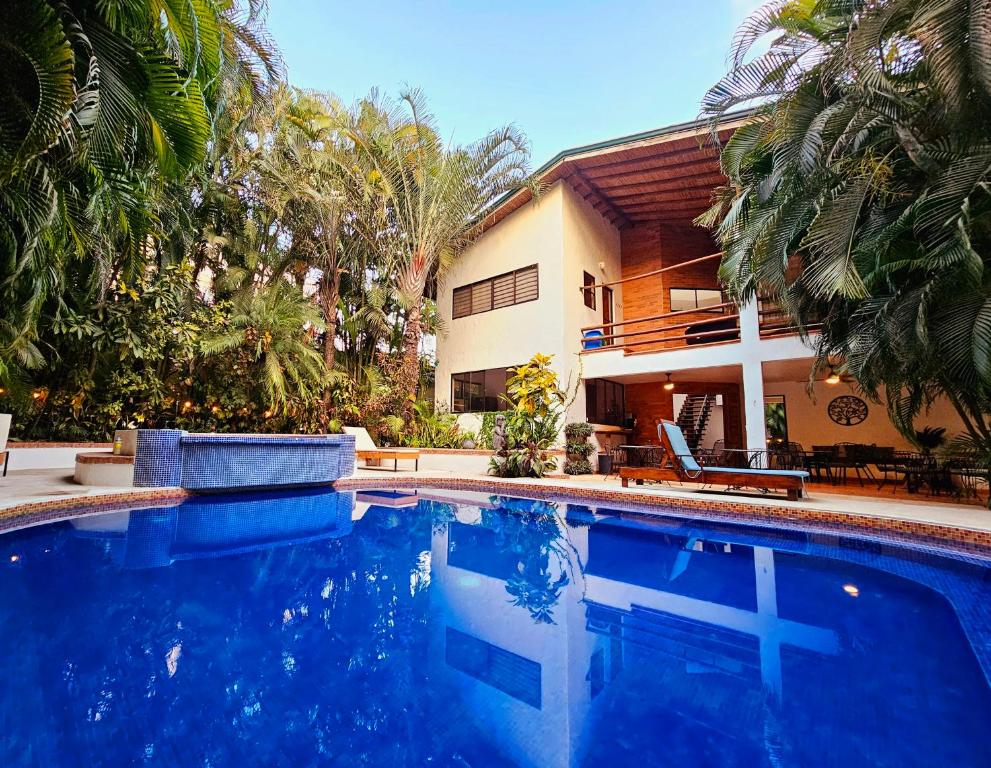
213	526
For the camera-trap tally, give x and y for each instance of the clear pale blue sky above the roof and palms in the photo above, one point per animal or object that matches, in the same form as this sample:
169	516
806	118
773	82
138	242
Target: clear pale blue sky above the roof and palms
567	73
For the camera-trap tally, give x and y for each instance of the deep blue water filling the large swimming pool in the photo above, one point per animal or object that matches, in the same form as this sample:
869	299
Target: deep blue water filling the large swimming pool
390	629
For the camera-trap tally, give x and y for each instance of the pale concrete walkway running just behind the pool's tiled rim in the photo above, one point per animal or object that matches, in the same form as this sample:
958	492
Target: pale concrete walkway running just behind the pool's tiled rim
39	485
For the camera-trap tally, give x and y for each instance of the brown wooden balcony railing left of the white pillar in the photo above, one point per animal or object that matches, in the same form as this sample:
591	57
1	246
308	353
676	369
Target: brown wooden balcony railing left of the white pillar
670	330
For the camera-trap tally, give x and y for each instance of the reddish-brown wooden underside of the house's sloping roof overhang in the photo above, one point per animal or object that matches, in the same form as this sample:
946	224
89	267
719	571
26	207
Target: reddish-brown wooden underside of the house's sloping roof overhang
665	176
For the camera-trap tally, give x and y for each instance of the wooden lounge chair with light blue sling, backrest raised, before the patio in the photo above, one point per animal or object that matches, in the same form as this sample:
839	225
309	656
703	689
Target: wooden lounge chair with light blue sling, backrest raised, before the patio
681	466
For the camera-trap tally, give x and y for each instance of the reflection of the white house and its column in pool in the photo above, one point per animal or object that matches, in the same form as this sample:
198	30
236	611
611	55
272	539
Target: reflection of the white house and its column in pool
704	607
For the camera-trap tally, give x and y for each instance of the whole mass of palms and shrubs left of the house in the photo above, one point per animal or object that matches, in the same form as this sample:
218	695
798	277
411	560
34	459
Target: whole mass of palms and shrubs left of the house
187	241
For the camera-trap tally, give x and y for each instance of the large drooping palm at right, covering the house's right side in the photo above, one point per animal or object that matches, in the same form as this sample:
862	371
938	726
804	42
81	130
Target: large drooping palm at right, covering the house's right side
860	190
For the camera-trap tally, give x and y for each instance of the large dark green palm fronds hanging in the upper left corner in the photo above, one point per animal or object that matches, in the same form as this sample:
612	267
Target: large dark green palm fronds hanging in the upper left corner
105	103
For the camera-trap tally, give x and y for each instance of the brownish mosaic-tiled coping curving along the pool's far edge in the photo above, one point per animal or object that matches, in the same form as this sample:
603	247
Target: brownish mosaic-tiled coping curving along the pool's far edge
950	538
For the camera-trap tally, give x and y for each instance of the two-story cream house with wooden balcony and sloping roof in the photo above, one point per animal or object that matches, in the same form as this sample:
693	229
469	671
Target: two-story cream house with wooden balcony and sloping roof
606	271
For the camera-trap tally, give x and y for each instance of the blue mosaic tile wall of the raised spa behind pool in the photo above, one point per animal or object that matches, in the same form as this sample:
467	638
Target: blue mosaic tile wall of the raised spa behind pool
224	462
